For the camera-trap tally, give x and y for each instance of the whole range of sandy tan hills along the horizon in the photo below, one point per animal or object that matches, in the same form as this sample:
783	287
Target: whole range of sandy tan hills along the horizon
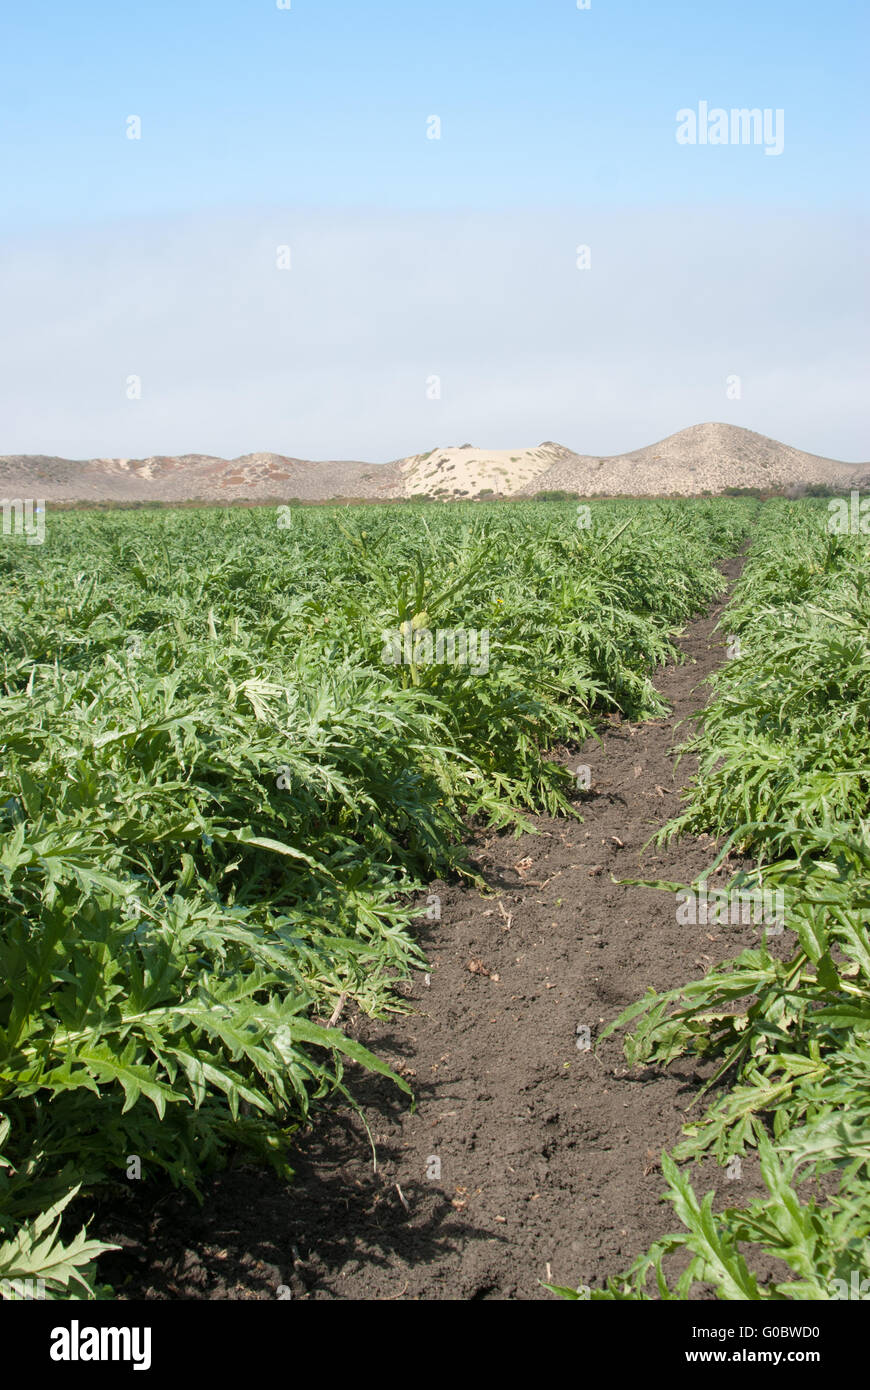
705	458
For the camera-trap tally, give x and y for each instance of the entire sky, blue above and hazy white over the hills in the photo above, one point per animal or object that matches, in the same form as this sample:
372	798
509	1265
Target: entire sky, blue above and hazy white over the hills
413	259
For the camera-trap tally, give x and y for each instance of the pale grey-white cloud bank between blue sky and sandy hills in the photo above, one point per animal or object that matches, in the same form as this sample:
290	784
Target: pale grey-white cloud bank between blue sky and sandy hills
336	357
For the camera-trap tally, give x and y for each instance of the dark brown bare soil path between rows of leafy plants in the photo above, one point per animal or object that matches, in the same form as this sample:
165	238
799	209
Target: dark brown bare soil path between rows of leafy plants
527	1159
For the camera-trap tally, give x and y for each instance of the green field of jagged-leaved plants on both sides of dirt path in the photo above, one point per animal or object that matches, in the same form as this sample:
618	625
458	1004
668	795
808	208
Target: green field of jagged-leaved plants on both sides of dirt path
237	744
